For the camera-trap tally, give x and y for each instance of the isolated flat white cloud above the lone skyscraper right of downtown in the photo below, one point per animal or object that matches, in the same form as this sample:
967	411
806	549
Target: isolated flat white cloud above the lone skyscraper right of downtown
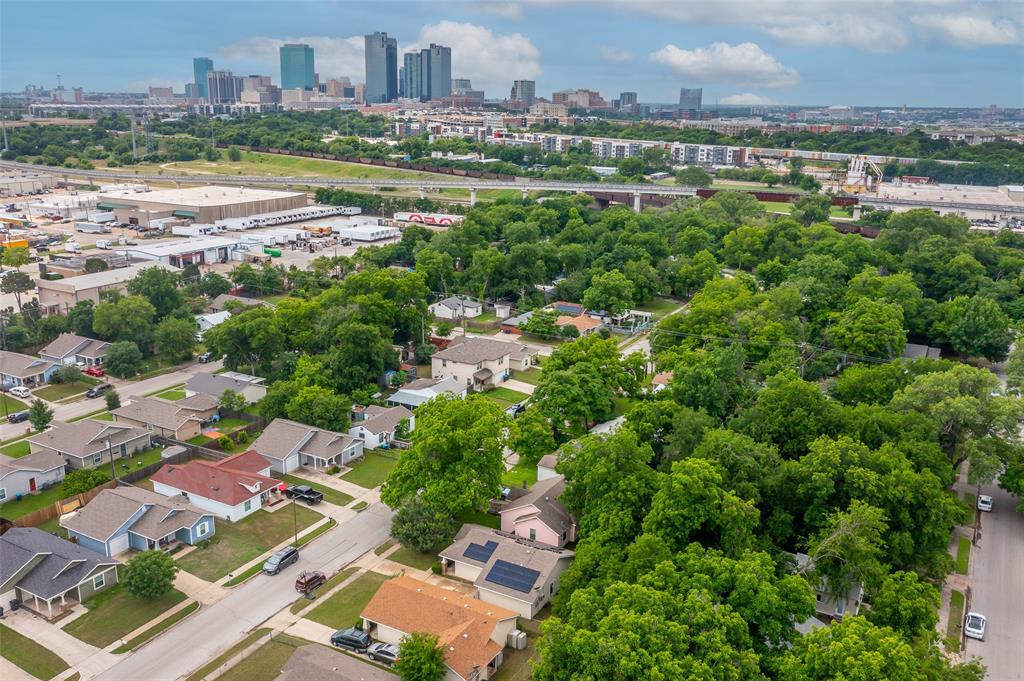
745	64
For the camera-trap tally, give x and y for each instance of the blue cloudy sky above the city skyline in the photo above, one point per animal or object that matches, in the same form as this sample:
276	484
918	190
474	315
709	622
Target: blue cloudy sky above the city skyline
872	53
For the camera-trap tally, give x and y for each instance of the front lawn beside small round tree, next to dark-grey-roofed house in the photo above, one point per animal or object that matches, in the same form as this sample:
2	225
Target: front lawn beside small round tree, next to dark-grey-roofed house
115	613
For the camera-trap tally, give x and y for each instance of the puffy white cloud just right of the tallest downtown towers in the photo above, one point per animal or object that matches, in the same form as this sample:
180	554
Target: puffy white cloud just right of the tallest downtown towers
491	60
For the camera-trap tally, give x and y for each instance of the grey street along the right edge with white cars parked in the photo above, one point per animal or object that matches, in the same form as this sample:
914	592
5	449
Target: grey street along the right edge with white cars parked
998	588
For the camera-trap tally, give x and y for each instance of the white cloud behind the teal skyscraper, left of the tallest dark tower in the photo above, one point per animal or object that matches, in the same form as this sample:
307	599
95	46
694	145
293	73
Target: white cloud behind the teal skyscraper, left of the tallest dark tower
332	57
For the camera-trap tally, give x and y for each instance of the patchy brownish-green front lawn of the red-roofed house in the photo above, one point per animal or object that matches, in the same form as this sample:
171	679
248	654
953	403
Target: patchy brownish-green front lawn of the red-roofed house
235	544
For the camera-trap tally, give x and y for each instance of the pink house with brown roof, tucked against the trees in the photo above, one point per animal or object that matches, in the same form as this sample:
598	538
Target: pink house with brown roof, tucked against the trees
539	516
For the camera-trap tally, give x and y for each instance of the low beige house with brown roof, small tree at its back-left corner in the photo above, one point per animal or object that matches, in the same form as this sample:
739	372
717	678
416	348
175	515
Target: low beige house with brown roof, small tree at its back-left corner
90	443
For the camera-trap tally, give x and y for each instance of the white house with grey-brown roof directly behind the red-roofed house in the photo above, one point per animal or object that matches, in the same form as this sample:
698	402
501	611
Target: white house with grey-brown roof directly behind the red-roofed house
288	445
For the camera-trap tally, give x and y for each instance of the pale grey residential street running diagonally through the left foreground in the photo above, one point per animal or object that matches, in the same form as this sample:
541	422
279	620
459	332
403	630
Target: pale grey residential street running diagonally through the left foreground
216	628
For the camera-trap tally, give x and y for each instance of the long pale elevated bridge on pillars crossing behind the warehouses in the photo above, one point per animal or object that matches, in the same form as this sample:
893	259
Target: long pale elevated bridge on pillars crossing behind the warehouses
525	185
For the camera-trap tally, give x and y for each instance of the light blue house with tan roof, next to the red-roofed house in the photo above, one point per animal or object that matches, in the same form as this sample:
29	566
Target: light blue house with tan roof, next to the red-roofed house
130	518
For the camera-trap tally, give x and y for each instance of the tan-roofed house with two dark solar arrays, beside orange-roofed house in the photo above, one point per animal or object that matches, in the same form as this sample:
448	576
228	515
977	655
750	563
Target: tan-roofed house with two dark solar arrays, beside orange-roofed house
510	573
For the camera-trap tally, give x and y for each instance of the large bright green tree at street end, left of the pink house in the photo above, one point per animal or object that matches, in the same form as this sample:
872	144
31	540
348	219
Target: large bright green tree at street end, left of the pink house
456	456
